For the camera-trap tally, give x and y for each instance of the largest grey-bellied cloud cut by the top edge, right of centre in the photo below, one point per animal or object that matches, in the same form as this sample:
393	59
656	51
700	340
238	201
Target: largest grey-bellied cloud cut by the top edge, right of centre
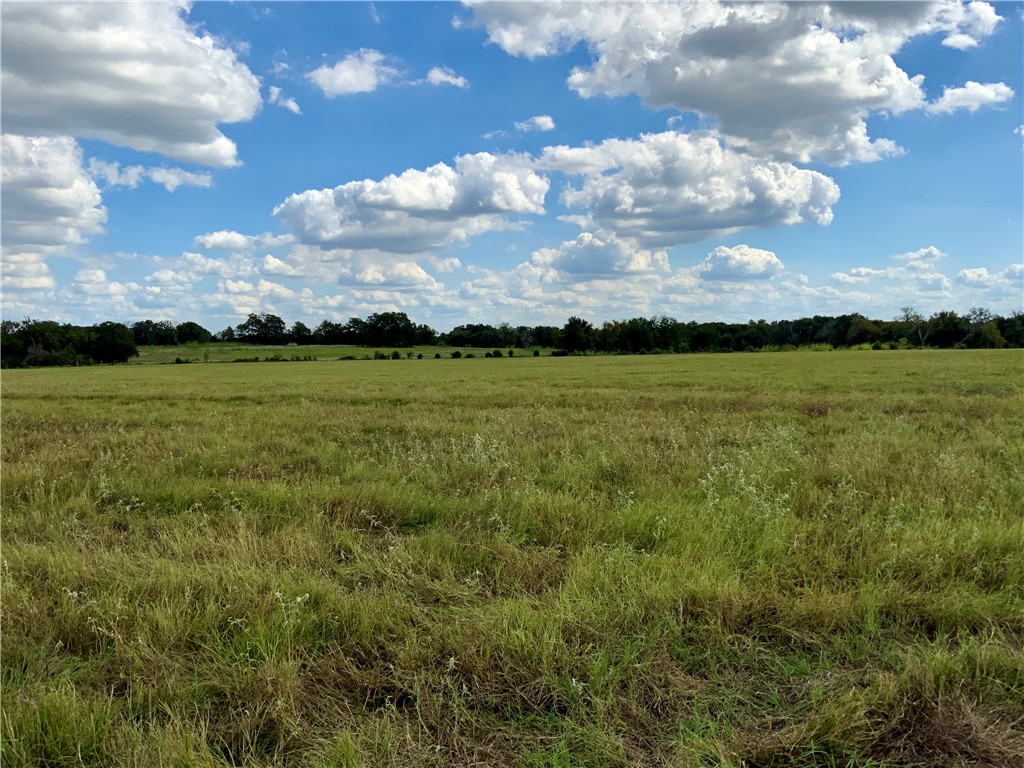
792	81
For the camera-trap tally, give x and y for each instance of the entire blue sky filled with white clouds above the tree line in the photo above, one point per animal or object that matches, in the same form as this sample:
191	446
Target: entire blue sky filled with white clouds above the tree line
510	162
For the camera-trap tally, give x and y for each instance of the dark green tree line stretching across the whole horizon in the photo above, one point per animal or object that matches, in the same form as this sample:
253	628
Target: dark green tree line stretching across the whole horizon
50	344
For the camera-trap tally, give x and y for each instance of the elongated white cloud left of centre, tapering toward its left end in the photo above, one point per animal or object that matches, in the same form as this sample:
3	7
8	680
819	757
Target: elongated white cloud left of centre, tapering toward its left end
419	211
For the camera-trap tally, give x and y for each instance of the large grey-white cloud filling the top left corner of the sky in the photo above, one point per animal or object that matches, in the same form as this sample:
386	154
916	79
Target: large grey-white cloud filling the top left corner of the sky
136	75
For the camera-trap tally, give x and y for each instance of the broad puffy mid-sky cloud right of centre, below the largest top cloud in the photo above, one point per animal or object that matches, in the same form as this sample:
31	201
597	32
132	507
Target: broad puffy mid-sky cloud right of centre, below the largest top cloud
668	189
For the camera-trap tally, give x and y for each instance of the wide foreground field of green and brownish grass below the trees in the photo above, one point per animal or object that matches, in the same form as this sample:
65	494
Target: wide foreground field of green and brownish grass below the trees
804	560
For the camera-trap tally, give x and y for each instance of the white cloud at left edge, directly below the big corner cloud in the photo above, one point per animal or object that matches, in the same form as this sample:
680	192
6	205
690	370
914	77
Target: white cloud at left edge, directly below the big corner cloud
48	204
